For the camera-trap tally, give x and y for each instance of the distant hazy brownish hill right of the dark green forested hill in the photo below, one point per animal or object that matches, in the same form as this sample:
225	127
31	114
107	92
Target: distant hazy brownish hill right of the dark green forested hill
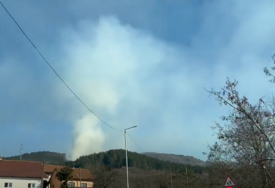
189	160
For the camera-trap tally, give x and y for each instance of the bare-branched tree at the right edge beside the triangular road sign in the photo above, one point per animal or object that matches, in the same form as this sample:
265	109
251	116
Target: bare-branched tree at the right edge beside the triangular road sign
246	138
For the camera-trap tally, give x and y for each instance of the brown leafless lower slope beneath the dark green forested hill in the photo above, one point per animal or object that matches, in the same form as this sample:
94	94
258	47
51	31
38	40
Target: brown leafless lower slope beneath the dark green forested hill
140	178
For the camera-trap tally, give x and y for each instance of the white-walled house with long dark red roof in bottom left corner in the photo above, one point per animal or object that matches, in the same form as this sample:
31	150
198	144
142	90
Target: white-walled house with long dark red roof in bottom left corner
21	174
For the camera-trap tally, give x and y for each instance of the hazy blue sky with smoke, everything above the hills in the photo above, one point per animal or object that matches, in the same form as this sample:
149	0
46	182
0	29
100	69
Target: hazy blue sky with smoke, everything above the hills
139	63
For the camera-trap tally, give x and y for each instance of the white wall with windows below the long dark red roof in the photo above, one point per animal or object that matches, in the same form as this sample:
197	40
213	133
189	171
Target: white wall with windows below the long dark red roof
20	182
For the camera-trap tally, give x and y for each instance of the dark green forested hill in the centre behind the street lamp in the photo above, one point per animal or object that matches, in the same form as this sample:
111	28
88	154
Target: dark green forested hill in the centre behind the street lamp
116	159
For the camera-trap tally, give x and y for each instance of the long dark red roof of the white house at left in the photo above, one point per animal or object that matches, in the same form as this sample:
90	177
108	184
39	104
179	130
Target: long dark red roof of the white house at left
21	169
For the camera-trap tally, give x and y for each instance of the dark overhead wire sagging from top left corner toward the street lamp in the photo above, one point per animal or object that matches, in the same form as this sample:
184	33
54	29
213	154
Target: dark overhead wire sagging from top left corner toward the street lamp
55	70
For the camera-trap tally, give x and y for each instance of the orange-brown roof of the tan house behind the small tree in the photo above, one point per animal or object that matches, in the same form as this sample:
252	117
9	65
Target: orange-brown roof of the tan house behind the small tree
78	173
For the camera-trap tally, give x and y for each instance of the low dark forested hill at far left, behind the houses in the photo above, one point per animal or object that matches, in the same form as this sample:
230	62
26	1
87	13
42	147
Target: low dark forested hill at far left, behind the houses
41	156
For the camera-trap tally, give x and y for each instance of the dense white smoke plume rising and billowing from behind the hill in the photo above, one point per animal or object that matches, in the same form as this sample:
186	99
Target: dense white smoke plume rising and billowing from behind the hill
117	70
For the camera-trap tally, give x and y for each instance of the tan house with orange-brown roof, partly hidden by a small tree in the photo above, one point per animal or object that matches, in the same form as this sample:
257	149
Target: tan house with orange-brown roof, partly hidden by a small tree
81	177
